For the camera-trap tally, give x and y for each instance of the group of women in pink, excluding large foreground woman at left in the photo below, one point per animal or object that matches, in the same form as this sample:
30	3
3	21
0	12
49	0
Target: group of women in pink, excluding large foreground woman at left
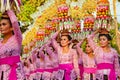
62	58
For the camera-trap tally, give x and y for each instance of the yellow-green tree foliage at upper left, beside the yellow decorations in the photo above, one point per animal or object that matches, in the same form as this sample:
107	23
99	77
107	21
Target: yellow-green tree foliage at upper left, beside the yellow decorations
28	8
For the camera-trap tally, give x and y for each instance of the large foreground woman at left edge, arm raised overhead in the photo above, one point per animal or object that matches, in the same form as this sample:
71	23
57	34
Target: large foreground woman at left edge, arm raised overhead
10	48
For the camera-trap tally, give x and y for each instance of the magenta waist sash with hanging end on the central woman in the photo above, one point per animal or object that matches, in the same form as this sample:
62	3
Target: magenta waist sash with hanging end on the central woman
67	68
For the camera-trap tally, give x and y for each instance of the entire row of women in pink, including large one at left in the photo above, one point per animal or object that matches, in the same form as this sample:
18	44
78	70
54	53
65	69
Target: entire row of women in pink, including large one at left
55	60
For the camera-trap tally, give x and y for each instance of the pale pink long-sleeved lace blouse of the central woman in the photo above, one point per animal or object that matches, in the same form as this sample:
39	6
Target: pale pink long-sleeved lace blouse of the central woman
70	57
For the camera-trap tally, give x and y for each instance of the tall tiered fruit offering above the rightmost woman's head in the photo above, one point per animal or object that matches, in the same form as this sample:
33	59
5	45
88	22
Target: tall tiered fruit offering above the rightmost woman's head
103	18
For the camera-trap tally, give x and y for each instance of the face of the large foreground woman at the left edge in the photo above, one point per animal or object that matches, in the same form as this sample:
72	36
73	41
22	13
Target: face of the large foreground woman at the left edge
5	26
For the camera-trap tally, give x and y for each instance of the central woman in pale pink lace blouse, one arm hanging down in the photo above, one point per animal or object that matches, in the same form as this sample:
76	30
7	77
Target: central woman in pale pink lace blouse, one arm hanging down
68	59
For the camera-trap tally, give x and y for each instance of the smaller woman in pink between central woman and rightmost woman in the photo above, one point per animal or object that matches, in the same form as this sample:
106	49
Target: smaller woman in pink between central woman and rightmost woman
89	66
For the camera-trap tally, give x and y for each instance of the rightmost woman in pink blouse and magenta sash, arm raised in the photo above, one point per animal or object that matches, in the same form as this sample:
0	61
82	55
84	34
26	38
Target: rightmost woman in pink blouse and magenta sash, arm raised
106	57
